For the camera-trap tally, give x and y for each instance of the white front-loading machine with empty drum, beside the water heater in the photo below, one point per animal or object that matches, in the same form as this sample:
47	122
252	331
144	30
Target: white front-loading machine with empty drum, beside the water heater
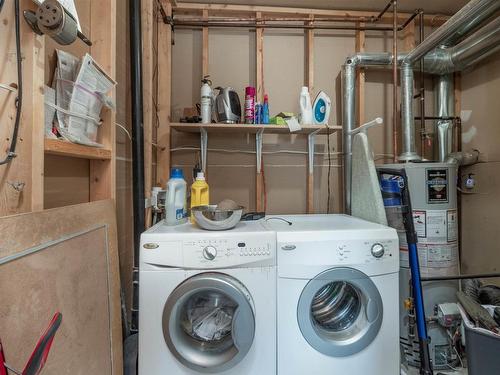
338	280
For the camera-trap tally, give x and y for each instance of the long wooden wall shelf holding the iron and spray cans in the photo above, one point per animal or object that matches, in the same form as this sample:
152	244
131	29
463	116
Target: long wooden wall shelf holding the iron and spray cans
252	129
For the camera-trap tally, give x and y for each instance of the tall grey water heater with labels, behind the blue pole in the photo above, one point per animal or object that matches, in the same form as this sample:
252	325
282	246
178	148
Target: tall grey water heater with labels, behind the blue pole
433	191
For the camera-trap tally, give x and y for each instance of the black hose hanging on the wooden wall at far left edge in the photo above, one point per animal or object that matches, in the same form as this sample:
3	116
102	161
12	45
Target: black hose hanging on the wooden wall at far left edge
11	154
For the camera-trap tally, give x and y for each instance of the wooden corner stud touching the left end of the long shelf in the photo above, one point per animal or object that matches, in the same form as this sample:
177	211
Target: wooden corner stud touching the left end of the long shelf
164	97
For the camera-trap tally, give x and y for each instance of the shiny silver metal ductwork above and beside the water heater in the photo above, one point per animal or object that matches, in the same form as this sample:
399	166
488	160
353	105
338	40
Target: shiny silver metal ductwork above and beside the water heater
439	60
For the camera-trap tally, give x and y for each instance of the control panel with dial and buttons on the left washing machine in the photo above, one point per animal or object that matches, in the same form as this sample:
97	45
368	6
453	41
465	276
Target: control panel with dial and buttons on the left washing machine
222	252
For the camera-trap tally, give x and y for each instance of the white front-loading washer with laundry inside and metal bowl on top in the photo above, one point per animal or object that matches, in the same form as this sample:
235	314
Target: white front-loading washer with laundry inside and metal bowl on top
207	301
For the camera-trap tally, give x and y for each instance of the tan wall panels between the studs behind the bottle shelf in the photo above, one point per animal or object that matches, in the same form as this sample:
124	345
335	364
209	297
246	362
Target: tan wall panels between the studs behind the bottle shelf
232	63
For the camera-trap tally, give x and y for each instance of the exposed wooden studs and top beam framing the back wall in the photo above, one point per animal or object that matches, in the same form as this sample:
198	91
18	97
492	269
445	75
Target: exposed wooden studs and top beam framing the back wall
207	10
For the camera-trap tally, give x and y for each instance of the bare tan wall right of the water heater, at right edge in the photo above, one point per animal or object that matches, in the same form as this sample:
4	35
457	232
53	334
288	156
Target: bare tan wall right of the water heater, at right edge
481	210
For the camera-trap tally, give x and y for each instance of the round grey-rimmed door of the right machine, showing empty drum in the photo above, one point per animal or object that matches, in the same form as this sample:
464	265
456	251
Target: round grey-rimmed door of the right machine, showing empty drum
340	312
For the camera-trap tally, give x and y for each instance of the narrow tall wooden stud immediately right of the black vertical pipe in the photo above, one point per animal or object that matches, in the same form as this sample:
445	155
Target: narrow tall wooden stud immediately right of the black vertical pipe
147	20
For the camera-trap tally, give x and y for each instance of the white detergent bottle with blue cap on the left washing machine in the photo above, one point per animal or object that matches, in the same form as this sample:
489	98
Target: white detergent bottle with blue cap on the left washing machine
175	203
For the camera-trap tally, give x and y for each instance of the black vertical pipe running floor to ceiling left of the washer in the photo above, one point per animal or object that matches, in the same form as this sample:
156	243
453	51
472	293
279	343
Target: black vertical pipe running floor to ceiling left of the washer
137	147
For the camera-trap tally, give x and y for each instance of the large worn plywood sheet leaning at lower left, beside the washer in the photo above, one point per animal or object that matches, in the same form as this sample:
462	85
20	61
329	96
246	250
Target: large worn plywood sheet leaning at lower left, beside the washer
62	260
